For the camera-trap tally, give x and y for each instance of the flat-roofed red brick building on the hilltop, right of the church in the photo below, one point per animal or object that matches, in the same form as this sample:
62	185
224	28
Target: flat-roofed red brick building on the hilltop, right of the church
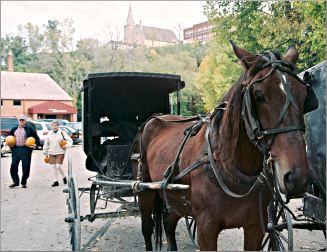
199	32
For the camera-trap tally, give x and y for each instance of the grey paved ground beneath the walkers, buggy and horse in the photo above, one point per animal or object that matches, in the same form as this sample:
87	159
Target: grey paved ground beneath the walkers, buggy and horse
32	219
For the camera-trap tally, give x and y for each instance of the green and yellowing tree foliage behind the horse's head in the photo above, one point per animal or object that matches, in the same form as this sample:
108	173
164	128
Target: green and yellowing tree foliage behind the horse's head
258	26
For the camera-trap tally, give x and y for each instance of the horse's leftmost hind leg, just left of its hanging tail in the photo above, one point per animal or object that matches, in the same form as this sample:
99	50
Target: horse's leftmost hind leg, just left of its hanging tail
146	203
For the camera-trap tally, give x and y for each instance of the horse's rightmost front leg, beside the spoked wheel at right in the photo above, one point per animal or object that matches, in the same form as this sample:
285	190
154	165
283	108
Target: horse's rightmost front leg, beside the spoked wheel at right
253	237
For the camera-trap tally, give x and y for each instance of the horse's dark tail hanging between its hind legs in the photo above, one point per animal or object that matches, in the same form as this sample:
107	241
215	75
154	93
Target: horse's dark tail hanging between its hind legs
157	218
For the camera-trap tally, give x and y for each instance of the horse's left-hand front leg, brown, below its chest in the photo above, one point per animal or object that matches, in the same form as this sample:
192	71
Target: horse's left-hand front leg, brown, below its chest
208	231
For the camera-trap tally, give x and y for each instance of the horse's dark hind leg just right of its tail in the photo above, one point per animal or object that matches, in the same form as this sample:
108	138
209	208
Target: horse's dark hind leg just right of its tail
170	221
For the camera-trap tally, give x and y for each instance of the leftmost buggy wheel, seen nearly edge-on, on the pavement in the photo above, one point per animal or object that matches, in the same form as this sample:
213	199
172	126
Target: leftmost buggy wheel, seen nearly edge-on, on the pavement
74	219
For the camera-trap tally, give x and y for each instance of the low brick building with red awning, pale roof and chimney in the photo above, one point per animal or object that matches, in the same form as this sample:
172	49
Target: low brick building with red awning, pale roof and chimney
35	95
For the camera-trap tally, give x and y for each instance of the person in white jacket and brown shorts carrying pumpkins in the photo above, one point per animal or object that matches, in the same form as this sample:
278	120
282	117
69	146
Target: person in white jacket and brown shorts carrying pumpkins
55	145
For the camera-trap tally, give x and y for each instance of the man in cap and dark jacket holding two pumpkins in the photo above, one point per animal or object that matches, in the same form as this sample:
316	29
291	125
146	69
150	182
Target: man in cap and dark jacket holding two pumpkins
21	152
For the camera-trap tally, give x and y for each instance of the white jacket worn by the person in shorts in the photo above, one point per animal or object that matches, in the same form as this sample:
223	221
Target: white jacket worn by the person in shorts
51	144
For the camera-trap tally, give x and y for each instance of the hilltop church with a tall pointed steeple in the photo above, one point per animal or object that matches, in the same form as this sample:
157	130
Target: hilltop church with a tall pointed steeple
138	34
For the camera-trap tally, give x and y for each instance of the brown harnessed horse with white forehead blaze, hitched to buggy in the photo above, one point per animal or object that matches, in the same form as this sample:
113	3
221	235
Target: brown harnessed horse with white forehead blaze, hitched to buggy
258	122
